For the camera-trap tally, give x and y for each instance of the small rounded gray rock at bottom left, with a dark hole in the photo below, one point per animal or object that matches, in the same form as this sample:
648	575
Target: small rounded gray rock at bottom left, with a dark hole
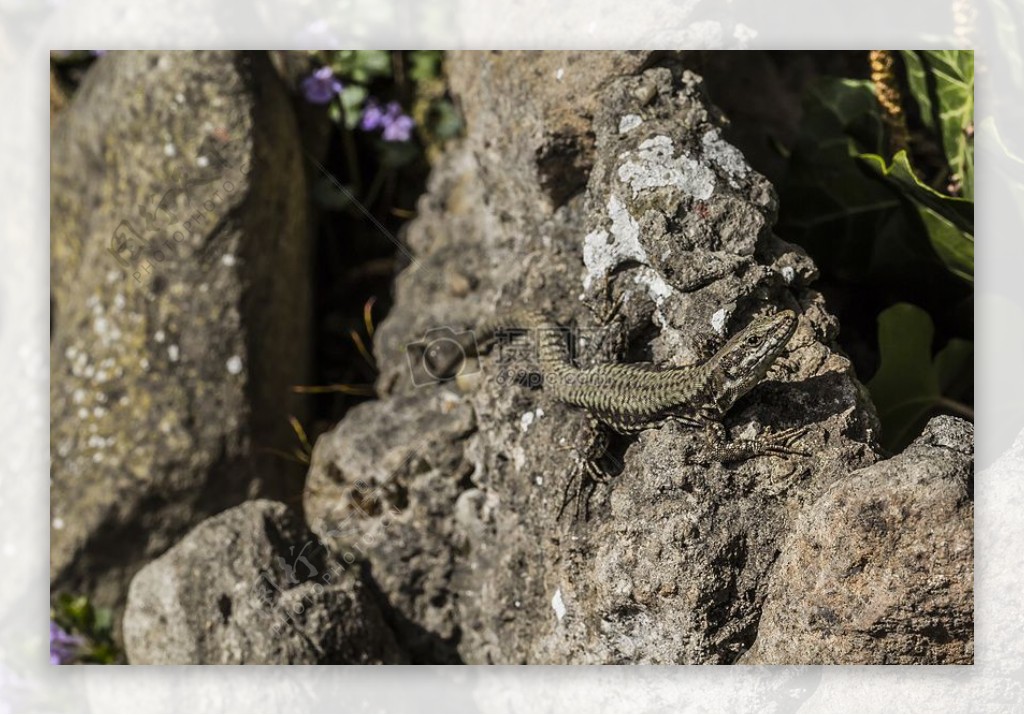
253	585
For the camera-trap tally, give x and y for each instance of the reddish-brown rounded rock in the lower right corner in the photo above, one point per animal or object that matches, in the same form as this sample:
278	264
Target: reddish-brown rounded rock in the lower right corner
881	569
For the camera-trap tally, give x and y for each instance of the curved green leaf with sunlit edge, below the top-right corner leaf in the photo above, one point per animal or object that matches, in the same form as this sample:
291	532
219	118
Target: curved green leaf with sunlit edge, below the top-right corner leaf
949	221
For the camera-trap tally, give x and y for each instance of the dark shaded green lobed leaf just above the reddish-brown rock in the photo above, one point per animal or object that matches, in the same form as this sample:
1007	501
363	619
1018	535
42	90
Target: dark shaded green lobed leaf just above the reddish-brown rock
910	386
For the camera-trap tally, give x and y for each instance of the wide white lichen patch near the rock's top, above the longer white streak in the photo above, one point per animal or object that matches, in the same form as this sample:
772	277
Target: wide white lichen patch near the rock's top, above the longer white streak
657	166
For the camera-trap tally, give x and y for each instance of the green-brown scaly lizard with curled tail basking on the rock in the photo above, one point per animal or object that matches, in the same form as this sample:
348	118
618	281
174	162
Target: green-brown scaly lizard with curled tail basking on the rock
631	398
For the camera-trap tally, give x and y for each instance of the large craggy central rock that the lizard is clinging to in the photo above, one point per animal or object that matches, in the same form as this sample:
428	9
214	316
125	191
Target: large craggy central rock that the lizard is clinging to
586	179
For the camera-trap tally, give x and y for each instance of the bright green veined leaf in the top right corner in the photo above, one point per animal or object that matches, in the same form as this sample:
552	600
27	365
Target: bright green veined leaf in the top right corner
943	85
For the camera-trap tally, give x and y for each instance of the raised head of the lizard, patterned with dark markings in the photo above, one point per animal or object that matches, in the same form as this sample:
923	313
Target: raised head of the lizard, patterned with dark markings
745	360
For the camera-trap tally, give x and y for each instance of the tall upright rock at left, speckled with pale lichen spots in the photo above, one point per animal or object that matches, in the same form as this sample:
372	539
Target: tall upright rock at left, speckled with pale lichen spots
180	247
